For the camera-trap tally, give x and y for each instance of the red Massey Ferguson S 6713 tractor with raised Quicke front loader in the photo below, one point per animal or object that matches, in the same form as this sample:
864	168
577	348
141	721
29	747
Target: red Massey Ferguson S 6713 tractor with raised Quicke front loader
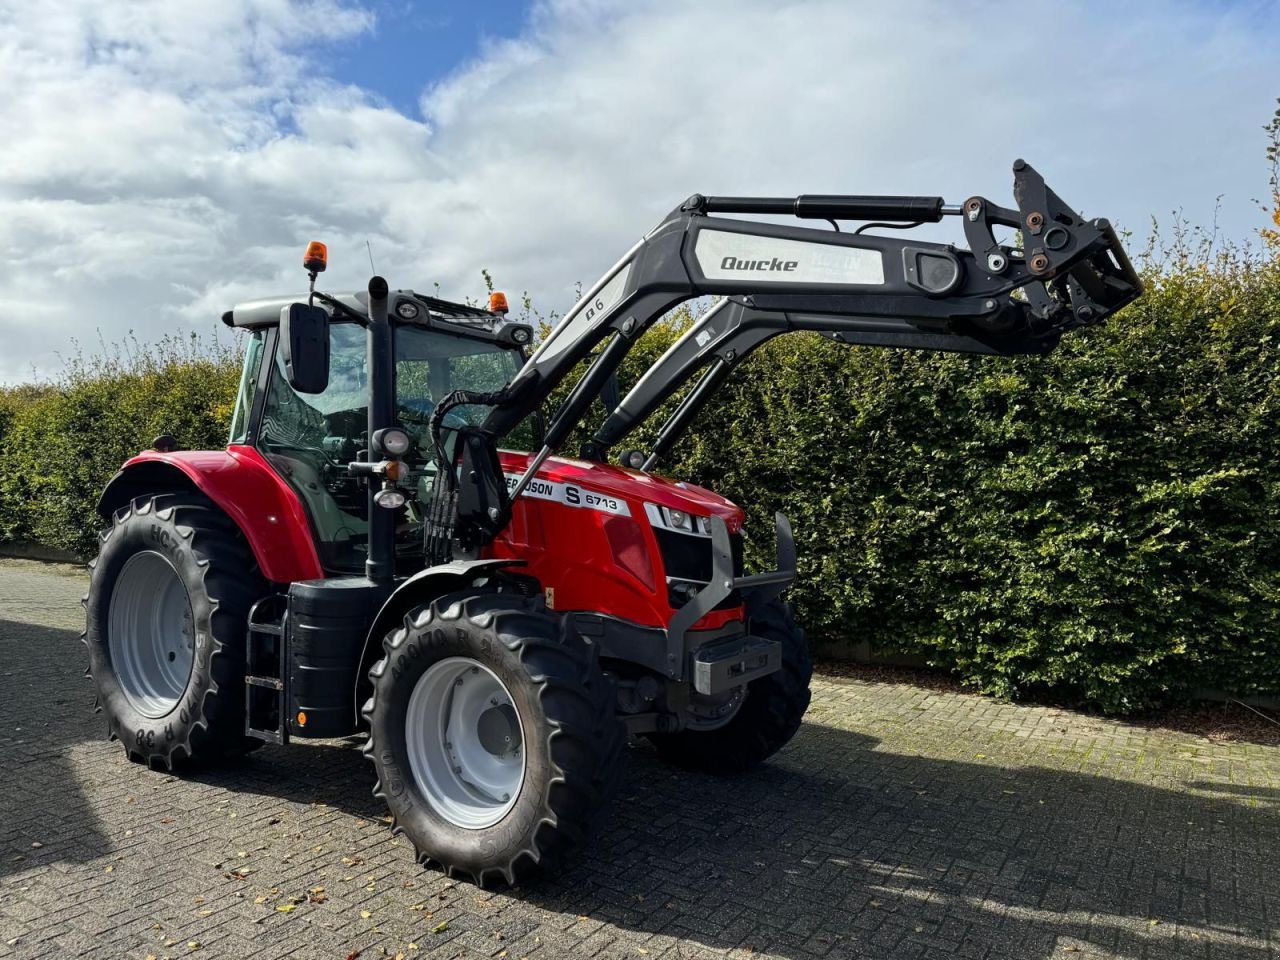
369	554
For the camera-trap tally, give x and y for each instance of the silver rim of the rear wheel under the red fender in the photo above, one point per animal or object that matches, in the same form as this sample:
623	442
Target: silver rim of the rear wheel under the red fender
152	634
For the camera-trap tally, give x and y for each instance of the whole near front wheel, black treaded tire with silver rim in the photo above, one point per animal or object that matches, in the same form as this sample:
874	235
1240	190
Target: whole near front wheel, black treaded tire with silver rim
493	734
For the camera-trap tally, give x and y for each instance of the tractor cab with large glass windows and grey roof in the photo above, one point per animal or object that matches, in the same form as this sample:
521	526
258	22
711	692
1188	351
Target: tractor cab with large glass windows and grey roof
310	438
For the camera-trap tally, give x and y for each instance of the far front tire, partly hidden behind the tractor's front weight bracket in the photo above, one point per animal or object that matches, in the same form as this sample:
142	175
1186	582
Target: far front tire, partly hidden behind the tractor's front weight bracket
769	717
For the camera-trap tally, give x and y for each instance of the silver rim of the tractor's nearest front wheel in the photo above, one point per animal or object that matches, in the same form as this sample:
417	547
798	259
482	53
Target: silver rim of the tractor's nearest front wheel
465	743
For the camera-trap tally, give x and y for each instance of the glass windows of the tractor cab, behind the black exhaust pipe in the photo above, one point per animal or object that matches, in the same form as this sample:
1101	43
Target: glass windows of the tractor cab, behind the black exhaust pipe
312	437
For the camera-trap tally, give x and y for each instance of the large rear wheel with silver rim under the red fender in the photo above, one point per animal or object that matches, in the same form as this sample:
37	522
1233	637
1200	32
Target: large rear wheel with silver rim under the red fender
166	621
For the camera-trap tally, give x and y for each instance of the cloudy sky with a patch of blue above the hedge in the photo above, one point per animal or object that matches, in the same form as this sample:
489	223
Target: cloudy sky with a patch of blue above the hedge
161	161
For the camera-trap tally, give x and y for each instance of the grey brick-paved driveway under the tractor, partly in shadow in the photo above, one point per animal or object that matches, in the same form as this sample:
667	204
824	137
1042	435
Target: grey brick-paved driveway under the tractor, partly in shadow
900	824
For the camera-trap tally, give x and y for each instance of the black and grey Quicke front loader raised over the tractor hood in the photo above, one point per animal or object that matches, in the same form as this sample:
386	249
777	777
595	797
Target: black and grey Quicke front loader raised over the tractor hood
856	287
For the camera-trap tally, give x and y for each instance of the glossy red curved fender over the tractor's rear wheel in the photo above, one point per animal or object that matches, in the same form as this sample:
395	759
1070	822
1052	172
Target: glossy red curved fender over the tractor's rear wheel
245	487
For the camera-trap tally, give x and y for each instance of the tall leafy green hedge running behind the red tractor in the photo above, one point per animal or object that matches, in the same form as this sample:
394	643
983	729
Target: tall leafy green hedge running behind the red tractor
1101	525
